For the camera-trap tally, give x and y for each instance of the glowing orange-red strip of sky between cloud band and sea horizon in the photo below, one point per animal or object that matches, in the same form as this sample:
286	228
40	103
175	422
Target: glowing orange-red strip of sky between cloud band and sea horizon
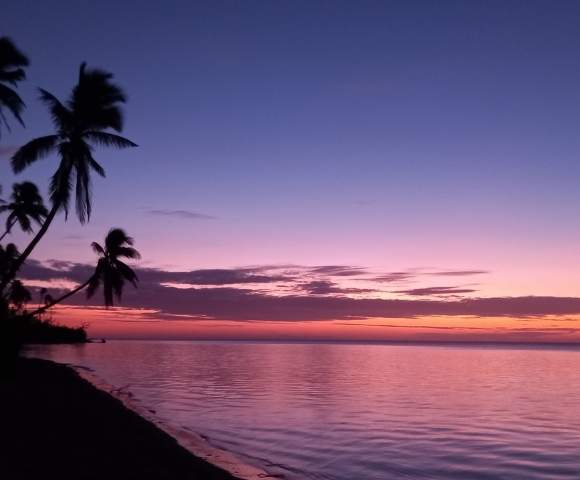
143	324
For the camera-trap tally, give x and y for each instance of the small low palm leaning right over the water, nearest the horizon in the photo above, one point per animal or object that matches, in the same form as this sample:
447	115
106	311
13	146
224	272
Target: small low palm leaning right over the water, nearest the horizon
110	272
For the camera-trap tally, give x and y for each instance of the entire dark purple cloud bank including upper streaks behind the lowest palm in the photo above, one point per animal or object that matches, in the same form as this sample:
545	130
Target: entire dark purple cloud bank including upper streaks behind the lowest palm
226	294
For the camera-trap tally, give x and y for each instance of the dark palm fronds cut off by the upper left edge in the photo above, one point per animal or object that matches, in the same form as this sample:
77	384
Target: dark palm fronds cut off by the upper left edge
12	62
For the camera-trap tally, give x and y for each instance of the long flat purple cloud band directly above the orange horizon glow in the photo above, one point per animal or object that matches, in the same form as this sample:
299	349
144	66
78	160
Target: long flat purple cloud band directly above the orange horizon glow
239	304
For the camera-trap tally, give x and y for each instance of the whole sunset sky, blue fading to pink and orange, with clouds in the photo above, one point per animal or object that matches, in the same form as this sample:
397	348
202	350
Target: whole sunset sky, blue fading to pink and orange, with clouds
401	170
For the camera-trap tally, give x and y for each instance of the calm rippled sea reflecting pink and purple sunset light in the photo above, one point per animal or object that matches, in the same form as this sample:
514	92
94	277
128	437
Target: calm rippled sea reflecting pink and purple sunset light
345	412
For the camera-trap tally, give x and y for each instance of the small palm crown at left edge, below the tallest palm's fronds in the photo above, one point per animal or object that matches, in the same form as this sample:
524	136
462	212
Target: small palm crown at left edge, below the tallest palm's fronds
26	205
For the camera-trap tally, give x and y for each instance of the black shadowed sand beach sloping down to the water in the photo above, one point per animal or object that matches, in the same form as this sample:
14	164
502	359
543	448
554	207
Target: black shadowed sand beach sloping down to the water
55	425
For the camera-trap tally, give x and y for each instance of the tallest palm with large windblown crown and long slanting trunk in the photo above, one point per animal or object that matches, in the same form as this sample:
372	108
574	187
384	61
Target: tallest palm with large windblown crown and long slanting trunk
81	123
